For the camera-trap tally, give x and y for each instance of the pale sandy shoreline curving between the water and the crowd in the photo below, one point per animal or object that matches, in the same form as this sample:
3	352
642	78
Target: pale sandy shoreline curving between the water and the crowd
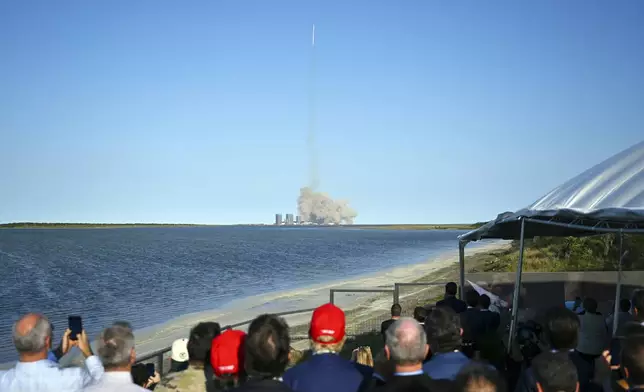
363	310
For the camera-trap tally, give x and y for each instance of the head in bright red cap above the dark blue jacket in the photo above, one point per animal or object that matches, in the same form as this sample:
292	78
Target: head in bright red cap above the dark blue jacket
327	331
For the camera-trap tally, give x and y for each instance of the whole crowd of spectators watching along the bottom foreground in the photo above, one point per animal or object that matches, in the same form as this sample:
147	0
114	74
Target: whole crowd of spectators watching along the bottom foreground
452	345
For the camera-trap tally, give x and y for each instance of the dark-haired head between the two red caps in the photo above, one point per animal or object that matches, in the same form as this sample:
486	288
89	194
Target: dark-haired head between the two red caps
267	347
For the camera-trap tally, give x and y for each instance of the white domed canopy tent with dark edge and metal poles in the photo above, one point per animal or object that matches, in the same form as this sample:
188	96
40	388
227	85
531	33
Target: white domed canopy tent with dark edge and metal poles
607	198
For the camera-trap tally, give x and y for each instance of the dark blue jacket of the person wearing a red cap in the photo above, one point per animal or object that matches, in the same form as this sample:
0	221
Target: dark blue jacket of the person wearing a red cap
328	373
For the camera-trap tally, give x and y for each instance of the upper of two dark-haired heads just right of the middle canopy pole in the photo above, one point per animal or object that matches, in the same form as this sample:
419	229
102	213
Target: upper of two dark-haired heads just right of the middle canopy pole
561	328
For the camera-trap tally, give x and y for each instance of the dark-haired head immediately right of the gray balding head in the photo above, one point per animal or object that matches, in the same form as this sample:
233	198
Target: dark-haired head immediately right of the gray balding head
443	327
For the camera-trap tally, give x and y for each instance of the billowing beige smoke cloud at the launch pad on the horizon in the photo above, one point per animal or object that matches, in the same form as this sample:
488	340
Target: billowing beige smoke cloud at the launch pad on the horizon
317	207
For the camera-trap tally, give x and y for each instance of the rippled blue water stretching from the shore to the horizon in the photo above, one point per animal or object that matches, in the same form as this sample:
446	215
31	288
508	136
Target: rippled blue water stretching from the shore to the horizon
151	275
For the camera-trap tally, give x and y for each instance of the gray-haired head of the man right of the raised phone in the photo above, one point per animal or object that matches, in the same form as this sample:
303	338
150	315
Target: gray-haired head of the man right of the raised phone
115	346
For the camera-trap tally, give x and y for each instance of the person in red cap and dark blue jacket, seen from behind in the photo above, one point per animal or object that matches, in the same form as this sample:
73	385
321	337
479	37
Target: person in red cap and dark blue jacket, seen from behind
326	371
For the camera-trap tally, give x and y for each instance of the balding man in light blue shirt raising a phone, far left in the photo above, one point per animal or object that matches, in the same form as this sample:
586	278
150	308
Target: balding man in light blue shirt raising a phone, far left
34	372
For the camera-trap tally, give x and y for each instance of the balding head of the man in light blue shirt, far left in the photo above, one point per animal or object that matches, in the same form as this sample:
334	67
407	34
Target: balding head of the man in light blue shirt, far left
32	334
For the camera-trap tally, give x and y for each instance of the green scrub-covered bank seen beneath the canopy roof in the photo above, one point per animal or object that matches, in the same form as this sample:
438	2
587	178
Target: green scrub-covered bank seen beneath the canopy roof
552	254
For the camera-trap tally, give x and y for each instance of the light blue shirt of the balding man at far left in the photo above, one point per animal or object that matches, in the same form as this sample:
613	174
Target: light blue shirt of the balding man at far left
46	376
